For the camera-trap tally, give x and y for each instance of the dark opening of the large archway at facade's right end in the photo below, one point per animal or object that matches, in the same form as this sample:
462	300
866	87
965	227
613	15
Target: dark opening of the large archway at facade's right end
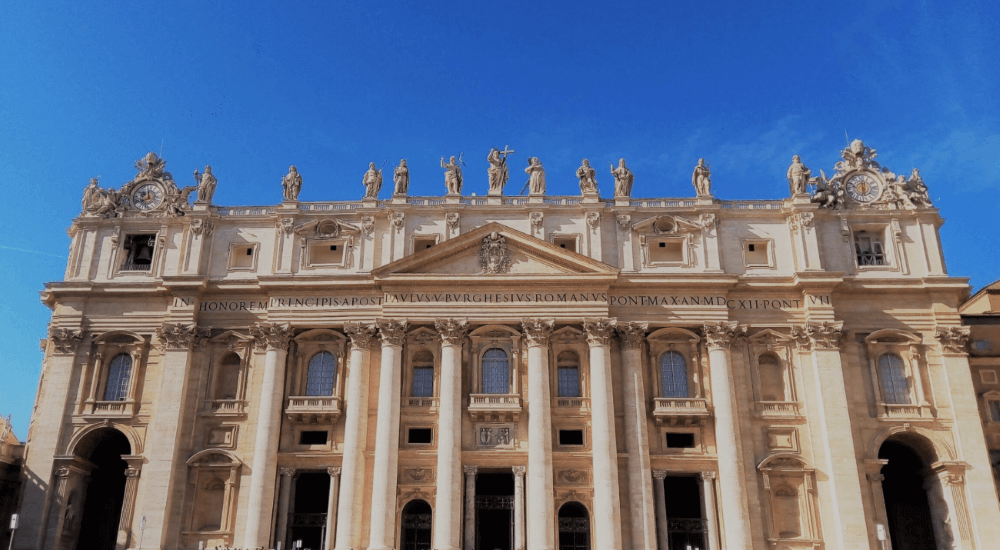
906	505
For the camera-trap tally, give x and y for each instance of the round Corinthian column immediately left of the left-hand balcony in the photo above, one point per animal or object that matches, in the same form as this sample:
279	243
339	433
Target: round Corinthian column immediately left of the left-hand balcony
273	340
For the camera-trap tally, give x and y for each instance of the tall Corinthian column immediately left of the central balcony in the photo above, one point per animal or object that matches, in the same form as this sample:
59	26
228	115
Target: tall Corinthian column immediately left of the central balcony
448	500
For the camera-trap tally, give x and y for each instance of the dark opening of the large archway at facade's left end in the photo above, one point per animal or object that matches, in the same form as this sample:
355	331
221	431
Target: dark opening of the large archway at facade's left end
100	514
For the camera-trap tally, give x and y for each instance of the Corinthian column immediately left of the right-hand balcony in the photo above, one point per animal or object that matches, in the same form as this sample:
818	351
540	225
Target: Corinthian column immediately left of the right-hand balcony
640	488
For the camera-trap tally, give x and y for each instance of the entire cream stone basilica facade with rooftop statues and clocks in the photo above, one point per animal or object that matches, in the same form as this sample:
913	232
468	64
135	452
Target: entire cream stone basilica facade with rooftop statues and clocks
509	372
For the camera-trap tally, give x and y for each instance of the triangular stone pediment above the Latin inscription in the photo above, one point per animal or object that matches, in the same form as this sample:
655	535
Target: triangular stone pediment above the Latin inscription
460	257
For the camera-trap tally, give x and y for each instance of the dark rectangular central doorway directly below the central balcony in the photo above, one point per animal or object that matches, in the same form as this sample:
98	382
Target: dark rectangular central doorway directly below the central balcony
494	511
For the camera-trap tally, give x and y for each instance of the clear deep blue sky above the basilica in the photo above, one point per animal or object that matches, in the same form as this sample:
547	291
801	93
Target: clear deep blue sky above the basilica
251	87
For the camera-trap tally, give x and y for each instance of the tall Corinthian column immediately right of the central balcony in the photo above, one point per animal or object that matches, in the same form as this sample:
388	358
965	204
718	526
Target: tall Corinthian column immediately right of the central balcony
541	512
